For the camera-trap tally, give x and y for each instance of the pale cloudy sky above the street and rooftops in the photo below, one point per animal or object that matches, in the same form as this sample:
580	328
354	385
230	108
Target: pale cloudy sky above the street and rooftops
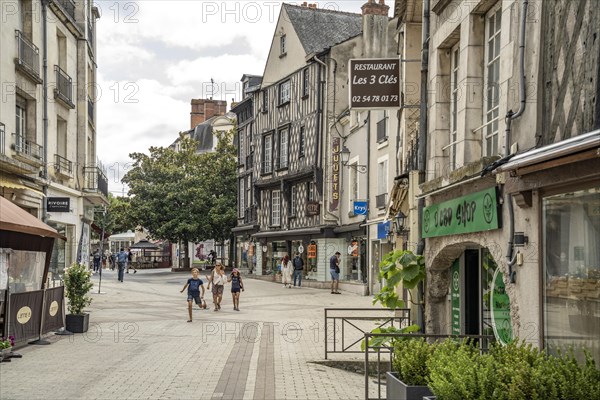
154	56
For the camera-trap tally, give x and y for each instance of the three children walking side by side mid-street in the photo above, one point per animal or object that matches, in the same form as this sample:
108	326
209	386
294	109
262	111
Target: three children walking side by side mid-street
218	280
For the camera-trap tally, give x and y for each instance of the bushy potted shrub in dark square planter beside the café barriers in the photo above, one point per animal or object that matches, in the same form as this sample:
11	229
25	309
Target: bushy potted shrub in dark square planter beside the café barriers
77	285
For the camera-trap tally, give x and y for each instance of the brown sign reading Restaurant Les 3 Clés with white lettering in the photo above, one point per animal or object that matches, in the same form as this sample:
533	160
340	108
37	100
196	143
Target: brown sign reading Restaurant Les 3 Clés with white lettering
375	83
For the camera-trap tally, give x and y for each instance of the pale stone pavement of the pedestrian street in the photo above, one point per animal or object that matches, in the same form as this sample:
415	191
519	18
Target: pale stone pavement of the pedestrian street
139	346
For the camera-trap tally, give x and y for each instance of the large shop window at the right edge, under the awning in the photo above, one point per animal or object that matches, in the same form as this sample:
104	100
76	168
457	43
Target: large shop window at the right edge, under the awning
571	271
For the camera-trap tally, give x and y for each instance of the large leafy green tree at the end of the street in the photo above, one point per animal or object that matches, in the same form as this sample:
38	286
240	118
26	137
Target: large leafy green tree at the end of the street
180	195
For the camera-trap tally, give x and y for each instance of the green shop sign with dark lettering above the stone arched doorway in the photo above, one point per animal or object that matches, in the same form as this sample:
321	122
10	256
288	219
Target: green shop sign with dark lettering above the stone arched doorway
475	212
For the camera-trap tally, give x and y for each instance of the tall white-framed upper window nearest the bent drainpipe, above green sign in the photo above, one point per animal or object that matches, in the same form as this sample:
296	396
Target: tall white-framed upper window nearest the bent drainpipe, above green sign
493	23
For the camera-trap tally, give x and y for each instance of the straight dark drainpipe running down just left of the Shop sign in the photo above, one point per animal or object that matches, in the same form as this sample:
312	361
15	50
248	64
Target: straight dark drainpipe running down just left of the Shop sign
422	150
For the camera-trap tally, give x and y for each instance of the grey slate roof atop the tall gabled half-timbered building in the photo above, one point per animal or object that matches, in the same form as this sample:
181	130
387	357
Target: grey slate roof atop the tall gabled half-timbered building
320	29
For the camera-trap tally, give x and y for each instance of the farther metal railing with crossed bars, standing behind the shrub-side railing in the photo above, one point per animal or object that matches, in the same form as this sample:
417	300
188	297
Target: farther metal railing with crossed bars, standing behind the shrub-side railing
346	327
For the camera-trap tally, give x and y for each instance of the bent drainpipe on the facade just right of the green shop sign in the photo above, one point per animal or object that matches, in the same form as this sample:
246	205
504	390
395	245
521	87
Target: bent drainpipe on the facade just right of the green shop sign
510	116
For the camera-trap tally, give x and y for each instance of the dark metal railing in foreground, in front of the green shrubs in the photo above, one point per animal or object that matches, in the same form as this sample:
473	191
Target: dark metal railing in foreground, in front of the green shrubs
482	341
